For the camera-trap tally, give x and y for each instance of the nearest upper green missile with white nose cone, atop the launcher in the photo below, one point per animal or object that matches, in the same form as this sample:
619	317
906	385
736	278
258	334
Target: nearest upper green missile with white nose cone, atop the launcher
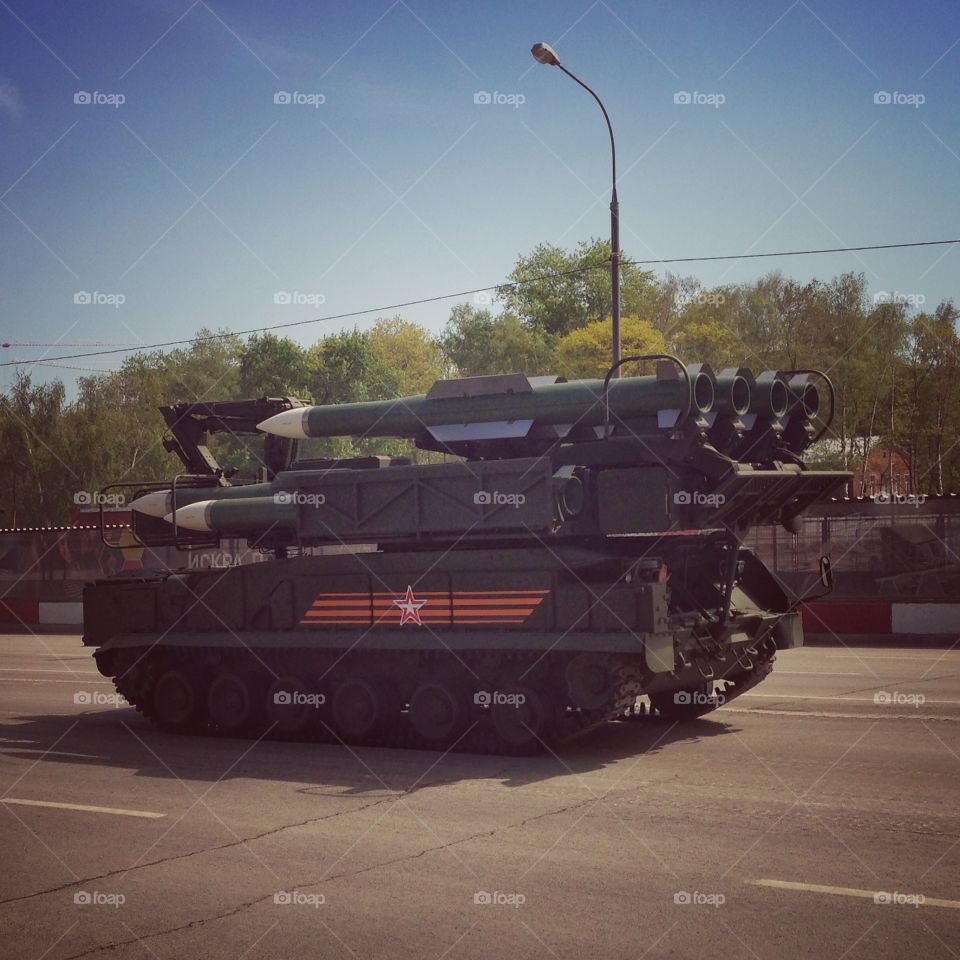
508	398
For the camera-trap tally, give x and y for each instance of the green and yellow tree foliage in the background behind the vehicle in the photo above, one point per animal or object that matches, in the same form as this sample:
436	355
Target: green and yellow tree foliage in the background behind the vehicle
895	371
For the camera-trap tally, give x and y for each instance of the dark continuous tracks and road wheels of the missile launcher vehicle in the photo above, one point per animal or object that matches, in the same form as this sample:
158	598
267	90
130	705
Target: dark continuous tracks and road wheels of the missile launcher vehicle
501	702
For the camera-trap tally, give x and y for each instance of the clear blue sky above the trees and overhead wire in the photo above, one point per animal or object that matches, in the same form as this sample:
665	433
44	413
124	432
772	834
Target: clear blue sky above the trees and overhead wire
198	198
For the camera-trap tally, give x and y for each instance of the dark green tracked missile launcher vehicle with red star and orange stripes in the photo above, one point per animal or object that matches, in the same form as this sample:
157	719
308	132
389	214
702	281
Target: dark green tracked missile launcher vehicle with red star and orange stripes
564	554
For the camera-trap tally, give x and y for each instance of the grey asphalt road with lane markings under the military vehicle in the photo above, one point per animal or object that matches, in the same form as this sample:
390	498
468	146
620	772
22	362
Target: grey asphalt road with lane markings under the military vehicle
766	830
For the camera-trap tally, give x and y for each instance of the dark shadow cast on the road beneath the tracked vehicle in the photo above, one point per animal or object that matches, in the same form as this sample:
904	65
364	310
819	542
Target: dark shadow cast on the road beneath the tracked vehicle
120	738
